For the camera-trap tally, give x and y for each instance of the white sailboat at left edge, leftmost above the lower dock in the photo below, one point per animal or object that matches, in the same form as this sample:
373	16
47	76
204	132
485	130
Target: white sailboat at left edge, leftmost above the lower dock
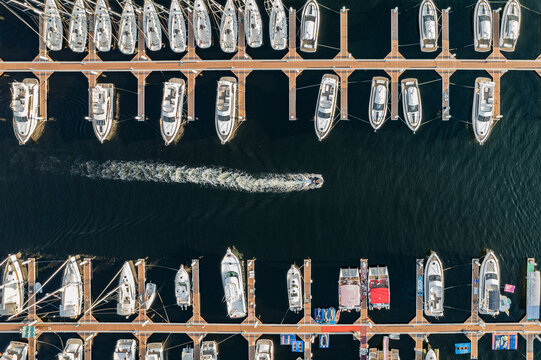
12	289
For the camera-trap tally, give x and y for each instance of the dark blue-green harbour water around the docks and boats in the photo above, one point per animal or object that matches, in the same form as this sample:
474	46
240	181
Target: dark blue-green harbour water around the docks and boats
389	196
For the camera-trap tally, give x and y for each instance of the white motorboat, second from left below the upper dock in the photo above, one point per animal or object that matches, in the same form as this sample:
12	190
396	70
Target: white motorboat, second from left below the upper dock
101	115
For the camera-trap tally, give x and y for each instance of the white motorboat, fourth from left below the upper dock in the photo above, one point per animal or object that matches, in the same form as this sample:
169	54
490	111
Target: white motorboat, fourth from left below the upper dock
226	108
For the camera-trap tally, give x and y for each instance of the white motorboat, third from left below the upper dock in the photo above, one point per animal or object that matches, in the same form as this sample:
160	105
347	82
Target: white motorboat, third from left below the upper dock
172	105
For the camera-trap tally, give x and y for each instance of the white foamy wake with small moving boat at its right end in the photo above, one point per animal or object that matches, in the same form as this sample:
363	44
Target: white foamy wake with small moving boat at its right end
206	176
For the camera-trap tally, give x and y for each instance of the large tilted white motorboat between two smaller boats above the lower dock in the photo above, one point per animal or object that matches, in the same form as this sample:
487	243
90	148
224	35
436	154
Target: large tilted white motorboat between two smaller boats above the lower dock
232	280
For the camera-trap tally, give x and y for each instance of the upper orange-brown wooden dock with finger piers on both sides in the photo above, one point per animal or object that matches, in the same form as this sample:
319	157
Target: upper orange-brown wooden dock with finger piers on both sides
292	64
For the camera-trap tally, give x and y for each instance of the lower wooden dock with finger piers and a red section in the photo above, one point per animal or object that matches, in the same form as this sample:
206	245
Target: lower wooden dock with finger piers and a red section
142	327
